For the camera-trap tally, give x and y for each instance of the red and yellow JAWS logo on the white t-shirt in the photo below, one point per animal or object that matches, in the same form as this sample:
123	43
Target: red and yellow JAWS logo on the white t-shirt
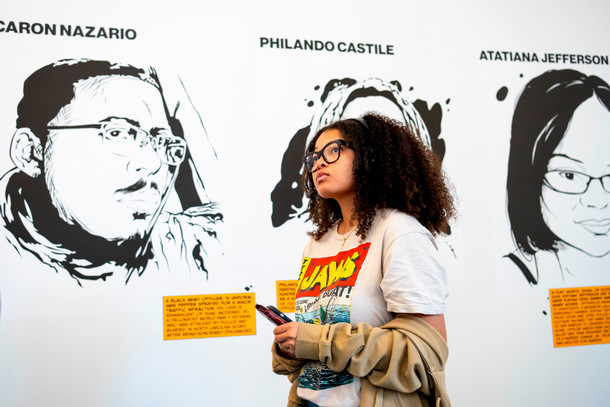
324	273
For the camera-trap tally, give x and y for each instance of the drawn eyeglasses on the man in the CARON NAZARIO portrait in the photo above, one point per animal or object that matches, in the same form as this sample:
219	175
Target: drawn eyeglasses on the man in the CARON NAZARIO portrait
128	140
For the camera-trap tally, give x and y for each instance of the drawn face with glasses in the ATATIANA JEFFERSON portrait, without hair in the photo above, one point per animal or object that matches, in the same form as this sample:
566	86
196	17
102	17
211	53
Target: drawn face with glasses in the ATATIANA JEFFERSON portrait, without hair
581	220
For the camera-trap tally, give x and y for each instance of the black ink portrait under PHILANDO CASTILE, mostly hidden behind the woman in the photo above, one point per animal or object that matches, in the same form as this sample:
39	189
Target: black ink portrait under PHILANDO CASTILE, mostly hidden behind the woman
343	99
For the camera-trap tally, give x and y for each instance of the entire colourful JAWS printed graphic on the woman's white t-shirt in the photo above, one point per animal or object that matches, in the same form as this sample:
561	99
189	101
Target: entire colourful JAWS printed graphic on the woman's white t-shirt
323	296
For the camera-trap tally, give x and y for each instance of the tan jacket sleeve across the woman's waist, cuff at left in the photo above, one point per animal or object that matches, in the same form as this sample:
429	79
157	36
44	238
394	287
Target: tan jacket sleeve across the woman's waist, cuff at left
386	355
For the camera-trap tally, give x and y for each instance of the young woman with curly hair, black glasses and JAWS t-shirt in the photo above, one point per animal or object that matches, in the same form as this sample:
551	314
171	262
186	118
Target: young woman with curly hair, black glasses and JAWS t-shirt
371	293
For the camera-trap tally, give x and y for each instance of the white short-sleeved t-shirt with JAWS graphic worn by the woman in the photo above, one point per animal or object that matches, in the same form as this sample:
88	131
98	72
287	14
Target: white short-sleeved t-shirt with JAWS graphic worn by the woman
396	269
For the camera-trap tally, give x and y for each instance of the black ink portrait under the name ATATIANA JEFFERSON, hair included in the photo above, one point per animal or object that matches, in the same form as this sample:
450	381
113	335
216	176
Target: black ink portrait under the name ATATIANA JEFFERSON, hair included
558	183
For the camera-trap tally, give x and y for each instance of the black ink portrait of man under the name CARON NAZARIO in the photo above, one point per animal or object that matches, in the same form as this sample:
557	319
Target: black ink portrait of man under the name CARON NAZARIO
97	155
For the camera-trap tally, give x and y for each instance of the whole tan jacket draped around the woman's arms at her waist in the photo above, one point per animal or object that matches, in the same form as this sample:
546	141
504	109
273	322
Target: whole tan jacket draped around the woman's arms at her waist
390	360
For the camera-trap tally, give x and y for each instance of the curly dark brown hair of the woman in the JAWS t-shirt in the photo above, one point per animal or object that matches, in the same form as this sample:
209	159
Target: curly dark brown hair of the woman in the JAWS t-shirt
393	169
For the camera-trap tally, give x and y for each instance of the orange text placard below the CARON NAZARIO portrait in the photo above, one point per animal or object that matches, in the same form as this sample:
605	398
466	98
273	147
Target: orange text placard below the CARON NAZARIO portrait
205	316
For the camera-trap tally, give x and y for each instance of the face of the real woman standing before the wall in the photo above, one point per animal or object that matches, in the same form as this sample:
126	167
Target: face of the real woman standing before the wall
335	180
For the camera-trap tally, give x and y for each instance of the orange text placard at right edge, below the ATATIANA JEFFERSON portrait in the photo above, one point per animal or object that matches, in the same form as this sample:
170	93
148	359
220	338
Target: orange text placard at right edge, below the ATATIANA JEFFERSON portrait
581	316
